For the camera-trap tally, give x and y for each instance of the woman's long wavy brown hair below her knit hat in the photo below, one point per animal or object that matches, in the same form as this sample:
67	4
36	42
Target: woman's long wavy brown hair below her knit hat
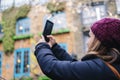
110	55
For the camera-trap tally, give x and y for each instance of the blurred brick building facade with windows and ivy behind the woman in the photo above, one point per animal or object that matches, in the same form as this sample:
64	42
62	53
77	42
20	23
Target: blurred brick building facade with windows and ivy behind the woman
22	23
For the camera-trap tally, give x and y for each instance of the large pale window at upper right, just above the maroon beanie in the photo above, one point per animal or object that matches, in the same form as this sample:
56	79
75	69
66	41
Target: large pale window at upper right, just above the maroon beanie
92	13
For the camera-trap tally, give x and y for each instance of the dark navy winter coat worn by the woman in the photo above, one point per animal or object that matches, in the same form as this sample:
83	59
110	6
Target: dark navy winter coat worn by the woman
57	64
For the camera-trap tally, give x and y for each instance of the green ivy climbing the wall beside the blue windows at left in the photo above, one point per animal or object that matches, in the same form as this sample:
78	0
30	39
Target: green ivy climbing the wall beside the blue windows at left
9	18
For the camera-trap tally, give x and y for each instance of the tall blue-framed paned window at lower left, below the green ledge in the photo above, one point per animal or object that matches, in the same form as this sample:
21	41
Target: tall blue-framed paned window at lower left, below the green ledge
22	62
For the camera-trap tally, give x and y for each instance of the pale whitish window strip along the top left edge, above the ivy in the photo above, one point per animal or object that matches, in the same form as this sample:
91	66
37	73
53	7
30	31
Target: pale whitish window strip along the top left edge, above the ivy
5	4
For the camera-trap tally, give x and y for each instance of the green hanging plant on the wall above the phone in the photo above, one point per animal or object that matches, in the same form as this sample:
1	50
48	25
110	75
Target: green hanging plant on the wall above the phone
56	7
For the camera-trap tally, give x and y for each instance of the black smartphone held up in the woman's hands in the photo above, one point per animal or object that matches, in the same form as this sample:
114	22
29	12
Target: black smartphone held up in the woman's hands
47	29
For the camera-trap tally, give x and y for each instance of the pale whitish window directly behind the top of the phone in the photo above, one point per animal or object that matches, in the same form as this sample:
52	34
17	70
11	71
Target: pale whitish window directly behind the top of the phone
58	18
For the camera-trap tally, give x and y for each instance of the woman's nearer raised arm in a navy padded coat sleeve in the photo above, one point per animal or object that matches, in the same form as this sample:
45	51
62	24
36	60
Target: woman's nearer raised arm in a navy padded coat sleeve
64	70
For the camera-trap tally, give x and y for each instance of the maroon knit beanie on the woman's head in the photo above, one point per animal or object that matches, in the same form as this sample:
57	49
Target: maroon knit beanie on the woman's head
107	31
